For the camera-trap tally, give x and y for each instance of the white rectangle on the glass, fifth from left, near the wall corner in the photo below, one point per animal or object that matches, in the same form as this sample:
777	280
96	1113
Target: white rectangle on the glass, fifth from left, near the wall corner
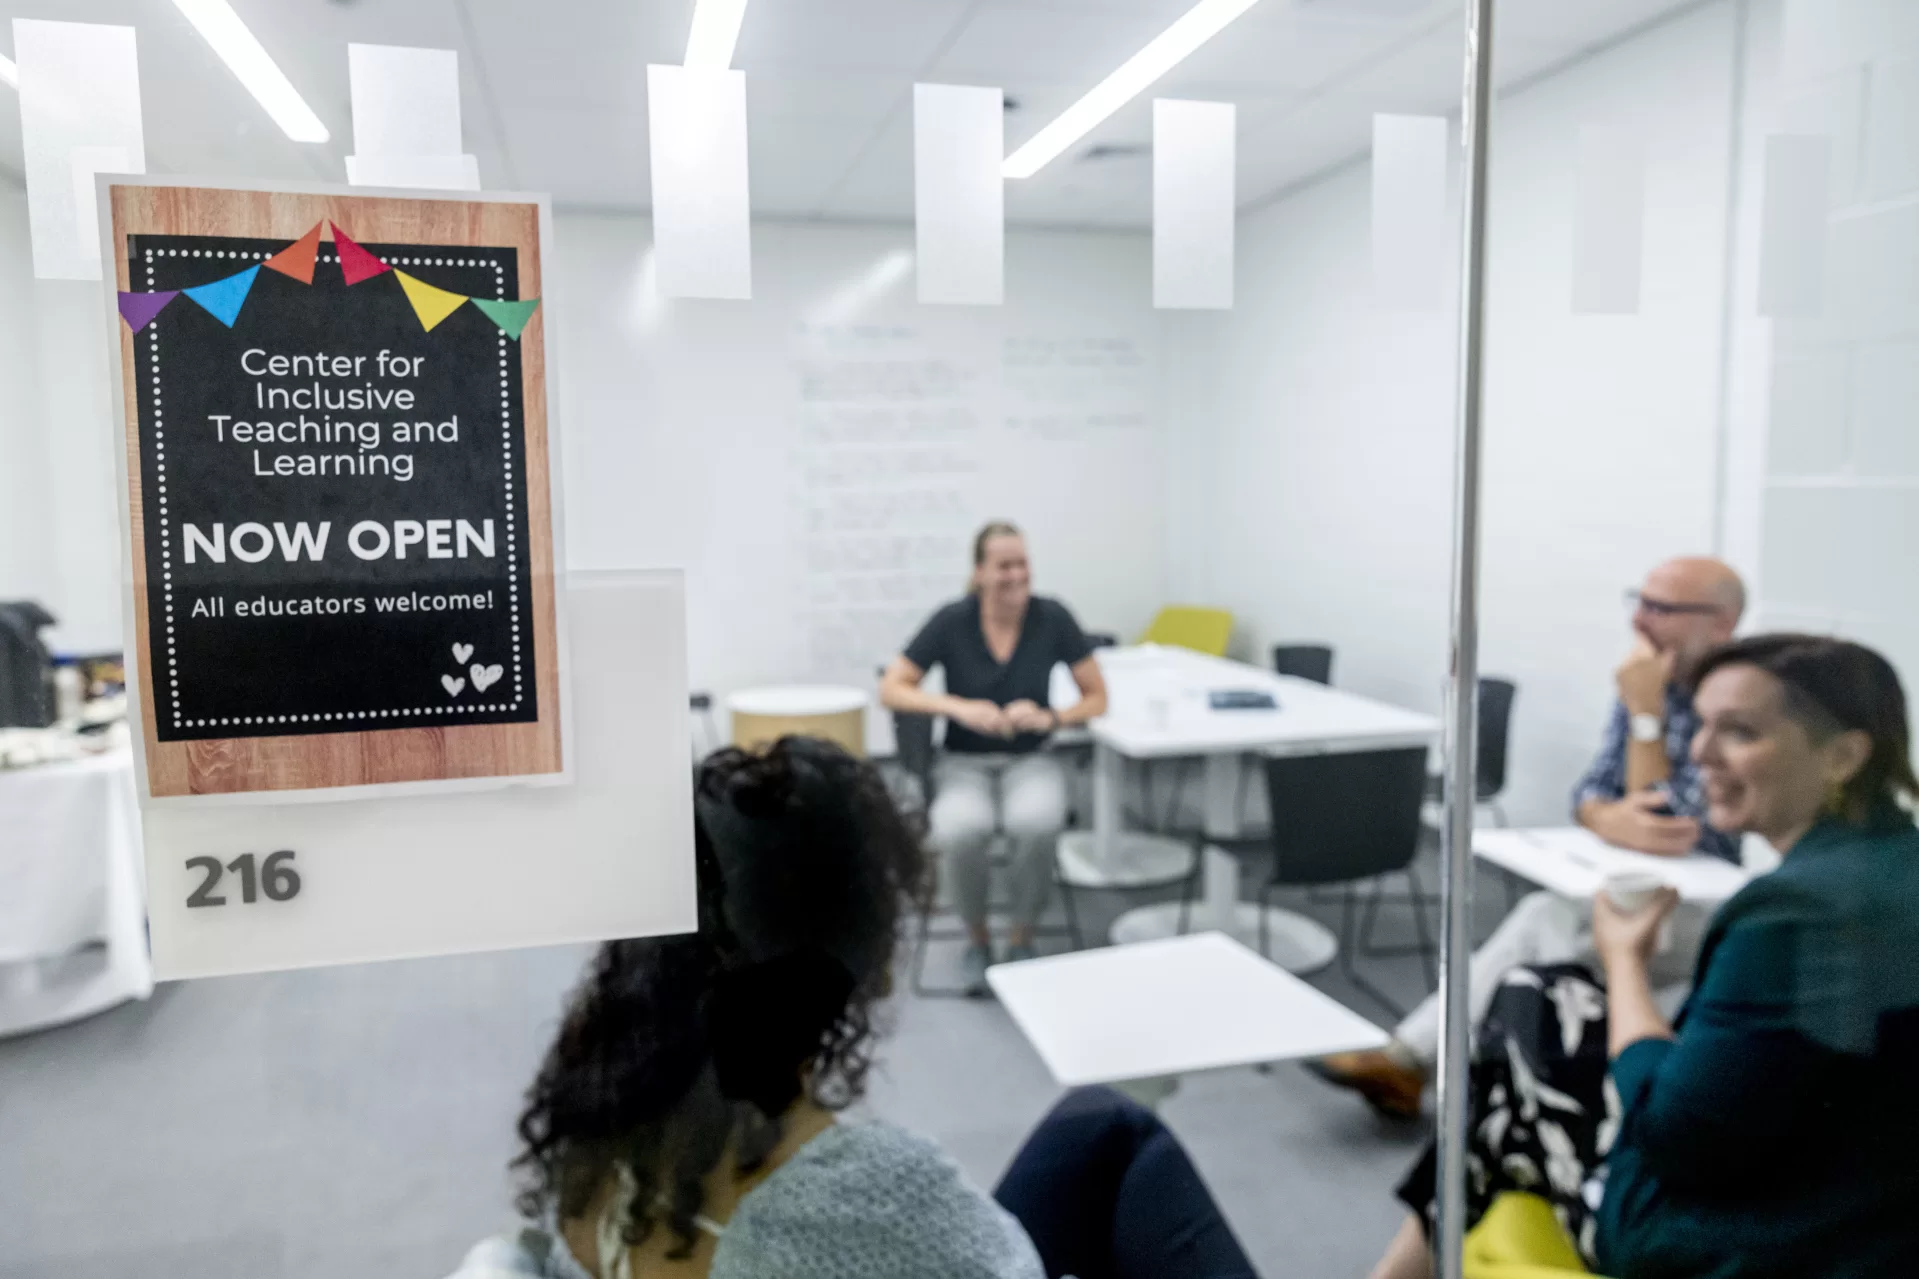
1193	205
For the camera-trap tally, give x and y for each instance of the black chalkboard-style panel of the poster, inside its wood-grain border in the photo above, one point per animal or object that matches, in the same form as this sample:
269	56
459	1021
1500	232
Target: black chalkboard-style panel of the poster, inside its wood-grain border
341	519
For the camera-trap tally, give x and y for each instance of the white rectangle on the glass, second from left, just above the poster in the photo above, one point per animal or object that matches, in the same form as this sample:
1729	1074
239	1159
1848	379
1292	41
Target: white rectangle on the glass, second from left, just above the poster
408	118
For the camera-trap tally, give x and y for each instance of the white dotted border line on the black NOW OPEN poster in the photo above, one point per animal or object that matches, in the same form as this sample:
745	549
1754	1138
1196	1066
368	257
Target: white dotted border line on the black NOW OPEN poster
166	533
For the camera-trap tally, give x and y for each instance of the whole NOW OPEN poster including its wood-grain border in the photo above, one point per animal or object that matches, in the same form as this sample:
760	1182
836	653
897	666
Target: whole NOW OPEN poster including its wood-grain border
343	523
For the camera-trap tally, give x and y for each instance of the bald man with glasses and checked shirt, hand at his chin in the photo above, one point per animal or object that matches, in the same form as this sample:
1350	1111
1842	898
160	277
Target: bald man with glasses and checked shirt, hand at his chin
1642	792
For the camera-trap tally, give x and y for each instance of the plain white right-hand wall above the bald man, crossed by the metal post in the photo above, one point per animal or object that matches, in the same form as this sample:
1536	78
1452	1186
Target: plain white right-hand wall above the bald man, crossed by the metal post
1321	504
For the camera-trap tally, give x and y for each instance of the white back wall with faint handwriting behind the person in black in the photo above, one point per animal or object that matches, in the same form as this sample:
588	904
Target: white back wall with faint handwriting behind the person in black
820	458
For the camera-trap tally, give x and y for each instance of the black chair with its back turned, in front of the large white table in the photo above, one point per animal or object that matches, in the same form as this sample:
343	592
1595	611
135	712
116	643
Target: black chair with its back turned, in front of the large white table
1352	819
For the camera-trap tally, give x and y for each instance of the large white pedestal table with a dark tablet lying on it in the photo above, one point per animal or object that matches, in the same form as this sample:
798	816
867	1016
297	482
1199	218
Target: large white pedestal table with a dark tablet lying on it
1160	710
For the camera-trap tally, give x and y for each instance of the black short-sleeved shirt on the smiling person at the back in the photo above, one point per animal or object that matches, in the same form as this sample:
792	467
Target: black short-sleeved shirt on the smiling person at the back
955	640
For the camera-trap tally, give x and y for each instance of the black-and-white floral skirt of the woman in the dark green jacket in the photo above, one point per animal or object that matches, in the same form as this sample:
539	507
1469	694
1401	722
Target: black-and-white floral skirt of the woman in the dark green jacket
1544	1107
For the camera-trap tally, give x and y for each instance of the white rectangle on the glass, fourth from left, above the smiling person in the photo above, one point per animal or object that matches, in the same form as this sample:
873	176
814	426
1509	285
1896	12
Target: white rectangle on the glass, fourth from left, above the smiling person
959	193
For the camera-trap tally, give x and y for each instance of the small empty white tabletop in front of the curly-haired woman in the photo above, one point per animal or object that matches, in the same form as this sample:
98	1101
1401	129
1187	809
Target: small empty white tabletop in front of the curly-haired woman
1160	1009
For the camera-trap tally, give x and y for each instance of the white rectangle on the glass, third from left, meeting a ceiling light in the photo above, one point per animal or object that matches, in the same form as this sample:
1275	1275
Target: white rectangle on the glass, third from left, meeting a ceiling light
701	224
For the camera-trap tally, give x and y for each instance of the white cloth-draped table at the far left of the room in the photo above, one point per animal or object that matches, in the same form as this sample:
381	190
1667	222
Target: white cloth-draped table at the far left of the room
74	875
